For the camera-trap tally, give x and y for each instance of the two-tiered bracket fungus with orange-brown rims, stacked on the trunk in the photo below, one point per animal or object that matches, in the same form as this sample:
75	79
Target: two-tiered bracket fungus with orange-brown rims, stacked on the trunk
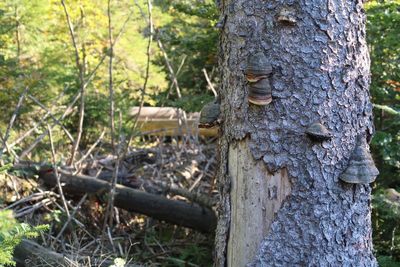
257	74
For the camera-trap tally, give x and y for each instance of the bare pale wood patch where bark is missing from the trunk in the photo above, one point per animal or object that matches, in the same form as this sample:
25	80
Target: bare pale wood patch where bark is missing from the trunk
256	197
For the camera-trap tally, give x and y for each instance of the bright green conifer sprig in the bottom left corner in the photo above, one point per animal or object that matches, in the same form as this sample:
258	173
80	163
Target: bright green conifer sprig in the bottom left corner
11	234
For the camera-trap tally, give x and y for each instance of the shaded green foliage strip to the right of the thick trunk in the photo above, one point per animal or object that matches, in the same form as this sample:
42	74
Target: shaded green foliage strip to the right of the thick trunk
383	31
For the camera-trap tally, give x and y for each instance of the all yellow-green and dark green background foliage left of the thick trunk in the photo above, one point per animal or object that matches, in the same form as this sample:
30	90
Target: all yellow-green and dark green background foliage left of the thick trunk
37	52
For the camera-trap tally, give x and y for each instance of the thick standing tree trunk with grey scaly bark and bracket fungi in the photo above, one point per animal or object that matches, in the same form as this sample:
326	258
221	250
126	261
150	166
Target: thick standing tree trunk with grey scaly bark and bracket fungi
282	200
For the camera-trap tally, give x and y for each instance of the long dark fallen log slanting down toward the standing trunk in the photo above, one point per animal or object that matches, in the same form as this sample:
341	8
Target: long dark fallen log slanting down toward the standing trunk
158	207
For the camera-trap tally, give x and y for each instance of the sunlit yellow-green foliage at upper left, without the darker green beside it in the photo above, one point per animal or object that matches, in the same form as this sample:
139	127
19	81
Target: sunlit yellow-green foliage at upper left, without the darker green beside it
37	51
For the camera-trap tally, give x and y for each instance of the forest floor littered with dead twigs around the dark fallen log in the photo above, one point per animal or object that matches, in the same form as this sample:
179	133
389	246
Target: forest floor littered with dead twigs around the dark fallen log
80	232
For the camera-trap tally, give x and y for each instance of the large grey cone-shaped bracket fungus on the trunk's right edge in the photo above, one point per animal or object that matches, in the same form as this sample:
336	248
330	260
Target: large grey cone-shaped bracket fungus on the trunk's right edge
361	168
